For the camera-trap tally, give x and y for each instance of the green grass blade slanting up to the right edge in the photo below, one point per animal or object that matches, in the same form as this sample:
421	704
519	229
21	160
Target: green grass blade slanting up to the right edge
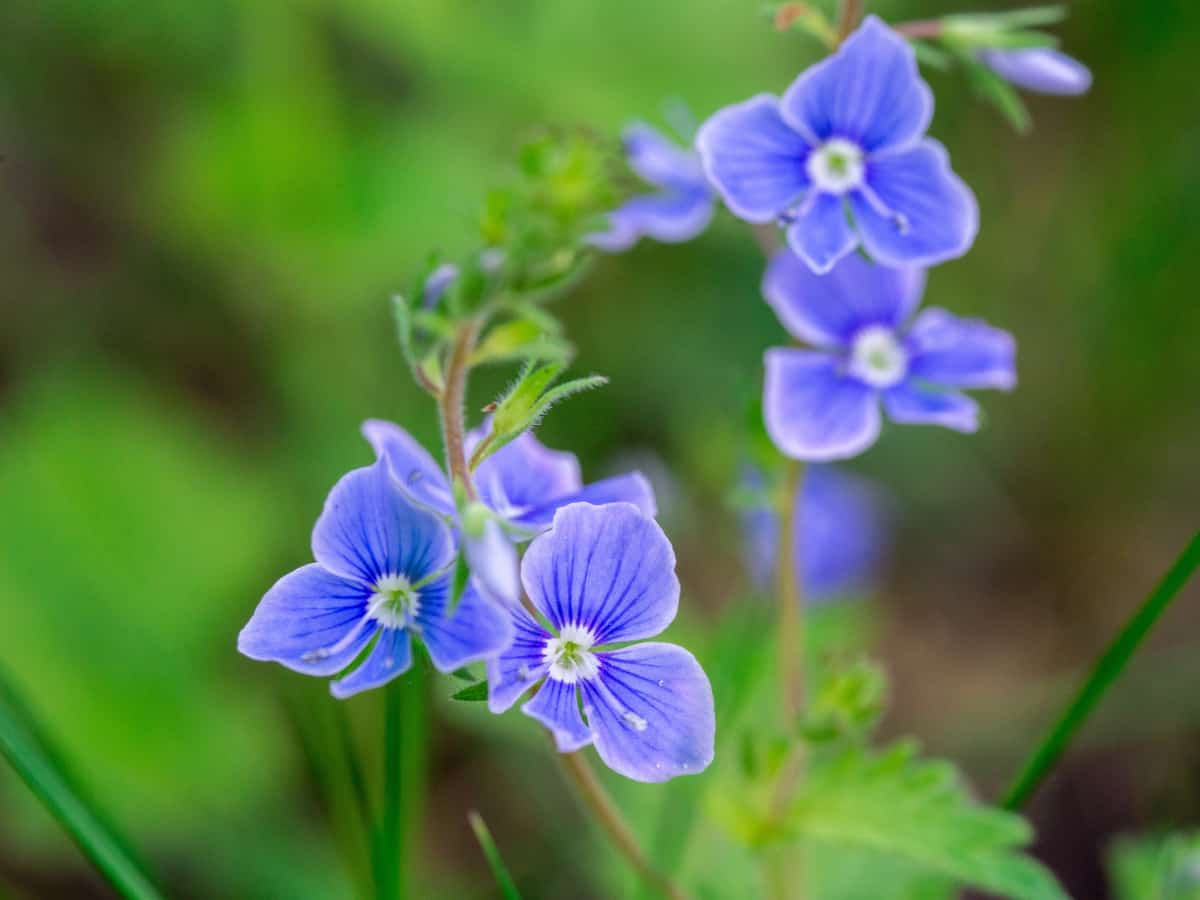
1105	674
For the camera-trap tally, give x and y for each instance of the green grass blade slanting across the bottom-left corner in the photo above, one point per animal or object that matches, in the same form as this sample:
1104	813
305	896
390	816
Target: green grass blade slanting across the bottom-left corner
38	769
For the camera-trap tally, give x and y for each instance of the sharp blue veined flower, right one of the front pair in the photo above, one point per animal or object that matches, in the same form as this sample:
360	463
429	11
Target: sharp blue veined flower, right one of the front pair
605	575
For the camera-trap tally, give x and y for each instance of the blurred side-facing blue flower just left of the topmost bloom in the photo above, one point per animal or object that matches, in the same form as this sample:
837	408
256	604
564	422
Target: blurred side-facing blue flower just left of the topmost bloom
679	212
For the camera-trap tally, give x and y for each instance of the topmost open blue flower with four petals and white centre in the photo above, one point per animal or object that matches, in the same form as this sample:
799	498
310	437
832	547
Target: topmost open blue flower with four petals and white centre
842	160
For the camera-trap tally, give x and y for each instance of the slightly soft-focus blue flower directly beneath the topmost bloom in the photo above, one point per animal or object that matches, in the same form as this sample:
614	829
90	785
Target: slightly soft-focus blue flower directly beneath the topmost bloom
825	404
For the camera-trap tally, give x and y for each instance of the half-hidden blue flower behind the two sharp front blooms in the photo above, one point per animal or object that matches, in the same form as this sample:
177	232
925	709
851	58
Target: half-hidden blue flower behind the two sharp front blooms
524	484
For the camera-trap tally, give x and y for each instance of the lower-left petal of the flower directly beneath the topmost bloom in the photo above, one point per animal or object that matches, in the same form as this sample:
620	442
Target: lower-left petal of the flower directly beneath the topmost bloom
815	413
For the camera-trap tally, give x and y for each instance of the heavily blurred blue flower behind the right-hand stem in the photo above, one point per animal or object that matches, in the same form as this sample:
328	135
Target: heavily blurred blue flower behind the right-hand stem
841	542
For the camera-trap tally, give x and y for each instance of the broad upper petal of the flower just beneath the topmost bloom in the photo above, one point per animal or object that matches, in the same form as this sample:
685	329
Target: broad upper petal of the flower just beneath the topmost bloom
829	310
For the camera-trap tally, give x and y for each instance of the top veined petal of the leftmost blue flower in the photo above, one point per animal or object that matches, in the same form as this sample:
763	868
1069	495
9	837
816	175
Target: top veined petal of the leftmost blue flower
369	530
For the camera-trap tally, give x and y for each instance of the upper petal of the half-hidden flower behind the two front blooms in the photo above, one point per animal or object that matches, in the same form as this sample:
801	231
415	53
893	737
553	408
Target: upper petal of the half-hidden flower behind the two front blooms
524	475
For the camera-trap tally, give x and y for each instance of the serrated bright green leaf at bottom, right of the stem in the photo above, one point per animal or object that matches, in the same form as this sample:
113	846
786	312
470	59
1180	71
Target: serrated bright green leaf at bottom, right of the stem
920	812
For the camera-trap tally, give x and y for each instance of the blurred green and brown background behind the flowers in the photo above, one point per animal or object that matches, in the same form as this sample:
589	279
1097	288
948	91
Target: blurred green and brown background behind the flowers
203	211
